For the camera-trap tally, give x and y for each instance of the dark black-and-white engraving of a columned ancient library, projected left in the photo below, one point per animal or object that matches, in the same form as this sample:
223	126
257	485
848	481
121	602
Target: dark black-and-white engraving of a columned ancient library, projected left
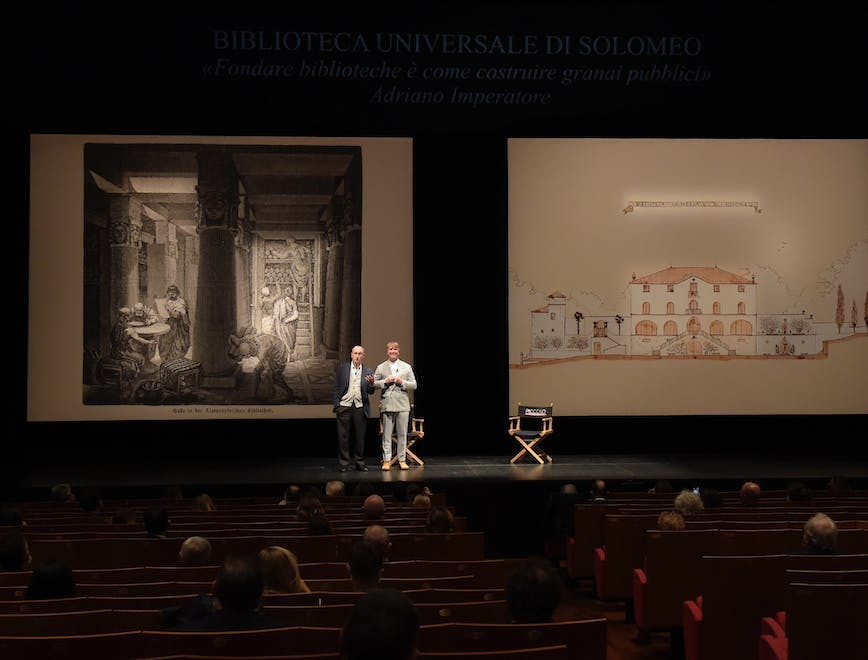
219	274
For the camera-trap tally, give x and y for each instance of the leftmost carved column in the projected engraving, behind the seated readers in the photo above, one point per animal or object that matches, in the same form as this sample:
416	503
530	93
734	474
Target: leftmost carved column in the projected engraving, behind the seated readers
124	232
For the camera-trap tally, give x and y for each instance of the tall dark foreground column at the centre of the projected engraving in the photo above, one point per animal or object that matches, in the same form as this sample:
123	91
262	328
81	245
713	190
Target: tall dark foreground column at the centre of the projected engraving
215	315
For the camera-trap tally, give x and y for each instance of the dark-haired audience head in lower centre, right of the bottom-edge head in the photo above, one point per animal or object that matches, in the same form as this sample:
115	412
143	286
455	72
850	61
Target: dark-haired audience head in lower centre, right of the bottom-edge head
533	592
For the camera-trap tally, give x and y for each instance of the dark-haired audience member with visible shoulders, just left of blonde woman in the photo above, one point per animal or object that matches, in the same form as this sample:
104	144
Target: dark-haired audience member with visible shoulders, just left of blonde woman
237	599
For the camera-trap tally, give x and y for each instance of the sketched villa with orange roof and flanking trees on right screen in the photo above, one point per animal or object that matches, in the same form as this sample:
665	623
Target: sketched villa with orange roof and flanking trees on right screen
701	312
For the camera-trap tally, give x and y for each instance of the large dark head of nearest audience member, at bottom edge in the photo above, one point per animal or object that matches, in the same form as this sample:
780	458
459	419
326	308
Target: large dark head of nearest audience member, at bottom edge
382	626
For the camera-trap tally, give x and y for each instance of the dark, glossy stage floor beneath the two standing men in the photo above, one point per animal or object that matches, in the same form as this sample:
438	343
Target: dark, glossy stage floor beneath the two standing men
615	468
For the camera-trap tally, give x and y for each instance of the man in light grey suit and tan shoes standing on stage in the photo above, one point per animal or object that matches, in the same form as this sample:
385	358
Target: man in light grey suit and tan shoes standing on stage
395	378
